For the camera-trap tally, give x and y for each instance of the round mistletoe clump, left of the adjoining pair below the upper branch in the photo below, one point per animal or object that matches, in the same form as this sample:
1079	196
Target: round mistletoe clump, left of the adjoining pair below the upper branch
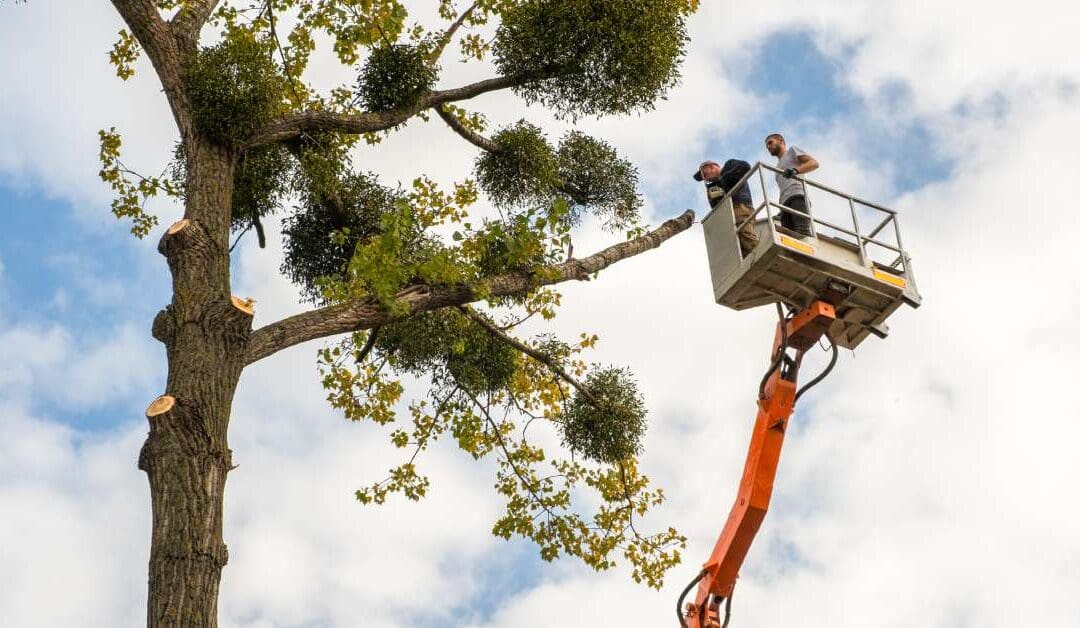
524	169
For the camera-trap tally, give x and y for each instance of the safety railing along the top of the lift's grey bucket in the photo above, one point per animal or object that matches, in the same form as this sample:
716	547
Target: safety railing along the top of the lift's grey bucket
874	247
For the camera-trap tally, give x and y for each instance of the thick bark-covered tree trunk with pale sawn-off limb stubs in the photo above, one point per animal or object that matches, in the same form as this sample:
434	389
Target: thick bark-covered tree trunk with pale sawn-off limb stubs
186	456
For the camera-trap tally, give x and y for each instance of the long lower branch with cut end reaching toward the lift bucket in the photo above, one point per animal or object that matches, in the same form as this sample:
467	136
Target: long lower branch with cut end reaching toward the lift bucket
363	315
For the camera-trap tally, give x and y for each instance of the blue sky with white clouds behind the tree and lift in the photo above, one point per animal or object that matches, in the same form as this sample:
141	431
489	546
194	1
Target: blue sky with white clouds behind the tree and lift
928	482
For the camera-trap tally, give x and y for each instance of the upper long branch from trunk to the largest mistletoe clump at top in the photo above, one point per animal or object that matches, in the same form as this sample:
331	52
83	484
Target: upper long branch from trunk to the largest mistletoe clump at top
294	125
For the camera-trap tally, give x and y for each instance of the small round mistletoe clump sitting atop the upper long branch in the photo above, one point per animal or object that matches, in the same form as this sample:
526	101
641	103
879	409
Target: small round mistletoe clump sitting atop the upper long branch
396	76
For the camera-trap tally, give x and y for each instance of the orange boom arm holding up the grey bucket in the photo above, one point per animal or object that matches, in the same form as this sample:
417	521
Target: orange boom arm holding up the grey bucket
776	404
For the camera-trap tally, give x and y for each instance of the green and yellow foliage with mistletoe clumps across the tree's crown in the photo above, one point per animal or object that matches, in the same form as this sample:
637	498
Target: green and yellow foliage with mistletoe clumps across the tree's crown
350	238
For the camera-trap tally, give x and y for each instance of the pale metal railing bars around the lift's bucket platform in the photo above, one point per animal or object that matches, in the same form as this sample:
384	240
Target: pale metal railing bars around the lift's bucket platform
902	262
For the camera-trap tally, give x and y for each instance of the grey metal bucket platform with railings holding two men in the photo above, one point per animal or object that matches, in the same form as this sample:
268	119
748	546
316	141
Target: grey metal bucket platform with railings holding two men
867	276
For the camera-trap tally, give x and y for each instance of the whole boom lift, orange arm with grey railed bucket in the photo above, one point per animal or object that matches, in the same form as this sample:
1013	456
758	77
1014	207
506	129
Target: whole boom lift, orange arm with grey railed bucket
834	287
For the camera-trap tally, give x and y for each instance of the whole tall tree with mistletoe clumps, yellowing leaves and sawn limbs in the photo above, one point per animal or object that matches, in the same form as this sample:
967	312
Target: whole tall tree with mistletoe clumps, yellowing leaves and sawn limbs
404	278
